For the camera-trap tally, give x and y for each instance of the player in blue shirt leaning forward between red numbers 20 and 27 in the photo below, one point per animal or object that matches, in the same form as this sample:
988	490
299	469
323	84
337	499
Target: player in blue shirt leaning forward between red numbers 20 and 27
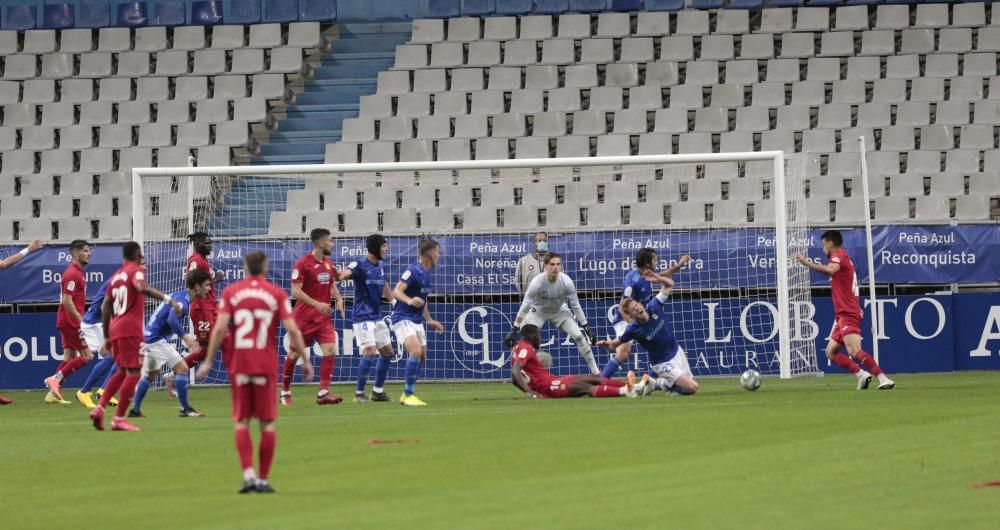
159	349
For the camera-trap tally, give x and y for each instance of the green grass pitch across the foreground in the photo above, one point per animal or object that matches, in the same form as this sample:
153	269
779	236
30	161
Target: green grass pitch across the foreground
802	454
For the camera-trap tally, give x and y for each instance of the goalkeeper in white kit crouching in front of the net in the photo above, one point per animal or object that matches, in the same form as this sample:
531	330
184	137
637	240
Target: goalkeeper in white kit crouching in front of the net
551	297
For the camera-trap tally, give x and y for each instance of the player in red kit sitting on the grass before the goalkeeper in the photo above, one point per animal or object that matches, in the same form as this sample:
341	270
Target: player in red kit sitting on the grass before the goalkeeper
528	374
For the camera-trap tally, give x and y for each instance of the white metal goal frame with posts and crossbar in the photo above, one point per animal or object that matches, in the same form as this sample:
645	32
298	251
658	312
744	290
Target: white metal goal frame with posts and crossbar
777	158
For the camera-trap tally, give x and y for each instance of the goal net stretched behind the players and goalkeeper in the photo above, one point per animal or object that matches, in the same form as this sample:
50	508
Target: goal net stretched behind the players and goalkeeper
740	303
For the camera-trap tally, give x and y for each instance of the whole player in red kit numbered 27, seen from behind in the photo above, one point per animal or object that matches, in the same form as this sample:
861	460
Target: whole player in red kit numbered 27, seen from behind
255	306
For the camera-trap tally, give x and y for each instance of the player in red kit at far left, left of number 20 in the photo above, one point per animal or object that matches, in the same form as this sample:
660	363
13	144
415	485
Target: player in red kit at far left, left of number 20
73	301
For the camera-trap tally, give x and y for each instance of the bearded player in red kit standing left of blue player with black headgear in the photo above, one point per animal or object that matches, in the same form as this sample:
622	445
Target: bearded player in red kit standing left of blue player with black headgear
314	285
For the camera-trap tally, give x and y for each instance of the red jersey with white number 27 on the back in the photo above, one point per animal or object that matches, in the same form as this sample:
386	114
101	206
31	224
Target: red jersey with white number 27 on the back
256	306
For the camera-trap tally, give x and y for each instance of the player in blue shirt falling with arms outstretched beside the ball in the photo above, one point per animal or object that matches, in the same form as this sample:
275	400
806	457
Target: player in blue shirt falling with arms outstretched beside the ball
651	327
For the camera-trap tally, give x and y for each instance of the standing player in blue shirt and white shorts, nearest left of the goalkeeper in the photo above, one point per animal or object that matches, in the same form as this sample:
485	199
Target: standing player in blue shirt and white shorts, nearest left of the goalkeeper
411	313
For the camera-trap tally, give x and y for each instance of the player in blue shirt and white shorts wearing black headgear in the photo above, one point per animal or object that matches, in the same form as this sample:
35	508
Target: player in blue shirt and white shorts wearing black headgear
370	332
